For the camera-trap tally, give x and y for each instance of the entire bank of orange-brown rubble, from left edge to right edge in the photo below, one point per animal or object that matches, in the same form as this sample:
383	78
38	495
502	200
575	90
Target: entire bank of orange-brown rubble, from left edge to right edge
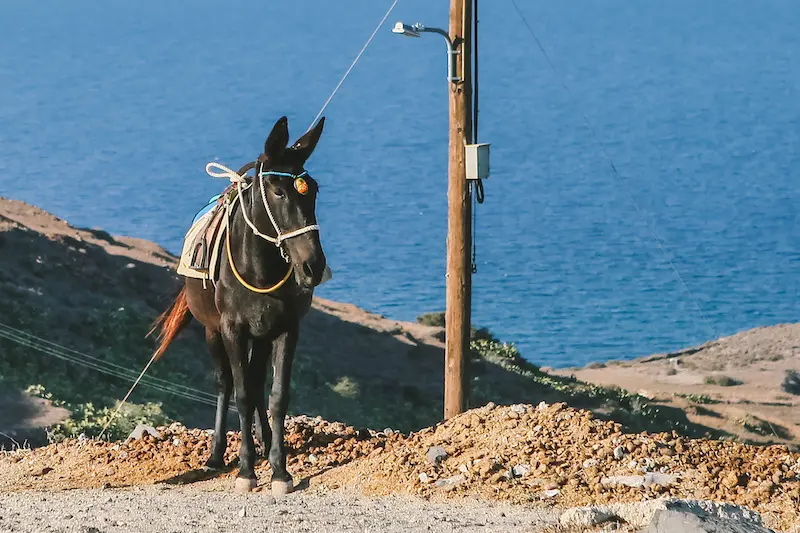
549	454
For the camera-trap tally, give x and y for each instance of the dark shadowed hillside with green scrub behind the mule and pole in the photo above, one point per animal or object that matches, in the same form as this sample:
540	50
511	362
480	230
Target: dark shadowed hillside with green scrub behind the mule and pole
76	303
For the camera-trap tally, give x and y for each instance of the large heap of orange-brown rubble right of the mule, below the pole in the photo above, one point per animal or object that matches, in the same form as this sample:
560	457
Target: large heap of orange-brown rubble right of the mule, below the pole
554	454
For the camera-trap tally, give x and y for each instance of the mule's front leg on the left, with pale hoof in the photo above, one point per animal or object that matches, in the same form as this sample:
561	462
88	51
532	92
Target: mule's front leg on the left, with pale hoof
236	345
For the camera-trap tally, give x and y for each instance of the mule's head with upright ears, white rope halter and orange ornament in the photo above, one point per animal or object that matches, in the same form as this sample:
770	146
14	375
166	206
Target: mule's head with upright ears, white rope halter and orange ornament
291	194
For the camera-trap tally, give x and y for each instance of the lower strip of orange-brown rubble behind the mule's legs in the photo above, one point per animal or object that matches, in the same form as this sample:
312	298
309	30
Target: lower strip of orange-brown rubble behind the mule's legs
177	455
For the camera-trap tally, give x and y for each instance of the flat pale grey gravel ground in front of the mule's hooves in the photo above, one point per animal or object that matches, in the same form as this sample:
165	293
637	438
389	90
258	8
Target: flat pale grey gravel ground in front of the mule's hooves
171	510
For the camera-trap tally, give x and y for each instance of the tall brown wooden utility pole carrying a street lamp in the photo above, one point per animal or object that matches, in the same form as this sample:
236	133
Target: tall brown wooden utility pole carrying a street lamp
459	223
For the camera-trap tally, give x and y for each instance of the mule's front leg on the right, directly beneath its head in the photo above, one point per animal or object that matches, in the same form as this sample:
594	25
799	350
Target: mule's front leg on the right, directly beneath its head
282	354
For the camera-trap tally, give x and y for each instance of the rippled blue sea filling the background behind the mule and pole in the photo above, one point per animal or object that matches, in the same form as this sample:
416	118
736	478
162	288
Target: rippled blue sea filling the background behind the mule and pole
109	111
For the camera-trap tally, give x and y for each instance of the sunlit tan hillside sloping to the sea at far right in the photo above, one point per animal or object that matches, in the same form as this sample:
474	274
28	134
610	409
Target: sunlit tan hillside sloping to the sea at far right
746	385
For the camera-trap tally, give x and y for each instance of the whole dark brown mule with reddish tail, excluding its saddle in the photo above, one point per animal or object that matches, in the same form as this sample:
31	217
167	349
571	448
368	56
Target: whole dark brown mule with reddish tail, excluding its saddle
235	316
